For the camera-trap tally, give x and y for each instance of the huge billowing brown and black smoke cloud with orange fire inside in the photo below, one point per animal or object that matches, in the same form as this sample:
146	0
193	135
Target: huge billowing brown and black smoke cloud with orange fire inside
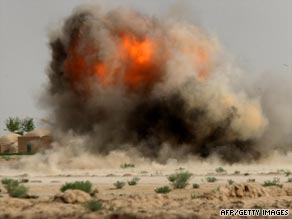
125	80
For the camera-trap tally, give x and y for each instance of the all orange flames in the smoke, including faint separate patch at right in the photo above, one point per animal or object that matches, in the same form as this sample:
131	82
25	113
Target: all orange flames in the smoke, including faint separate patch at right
140	63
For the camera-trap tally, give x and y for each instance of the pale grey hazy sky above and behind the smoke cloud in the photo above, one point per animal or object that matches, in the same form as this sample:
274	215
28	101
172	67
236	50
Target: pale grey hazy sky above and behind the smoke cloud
257	32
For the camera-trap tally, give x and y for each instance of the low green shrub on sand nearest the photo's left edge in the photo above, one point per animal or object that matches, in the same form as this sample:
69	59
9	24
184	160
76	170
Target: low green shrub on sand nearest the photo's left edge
14	189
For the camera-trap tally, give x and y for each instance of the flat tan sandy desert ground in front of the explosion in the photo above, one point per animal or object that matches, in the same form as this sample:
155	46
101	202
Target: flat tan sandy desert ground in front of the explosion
141	201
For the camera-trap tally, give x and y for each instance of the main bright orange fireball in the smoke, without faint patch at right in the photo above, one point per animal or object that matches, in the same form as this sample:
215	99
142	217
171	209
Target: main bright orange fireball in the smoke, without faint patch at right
137	69
